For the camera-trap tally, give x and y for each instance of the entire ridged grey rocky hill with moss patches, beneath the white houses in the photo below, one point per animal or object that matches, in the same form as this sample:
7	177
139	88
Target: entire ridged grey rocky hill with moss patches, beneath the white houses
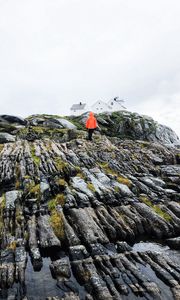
89	220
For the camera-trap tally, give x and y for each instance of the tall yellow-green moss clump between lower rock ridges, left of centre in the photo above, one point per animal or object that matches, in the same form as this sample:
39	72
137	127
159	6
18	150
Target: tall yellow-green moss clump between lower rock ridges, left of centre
57	223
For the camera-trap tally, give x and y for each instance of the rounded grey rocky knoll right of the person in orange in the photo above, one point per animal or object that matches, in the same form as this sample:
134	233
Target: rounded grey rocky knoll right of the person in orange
135	126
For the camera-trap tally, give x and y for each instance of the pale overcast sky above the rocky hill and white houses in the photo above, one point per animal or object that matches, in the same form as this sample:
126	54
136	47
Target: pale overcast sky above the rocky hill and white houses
54	53
